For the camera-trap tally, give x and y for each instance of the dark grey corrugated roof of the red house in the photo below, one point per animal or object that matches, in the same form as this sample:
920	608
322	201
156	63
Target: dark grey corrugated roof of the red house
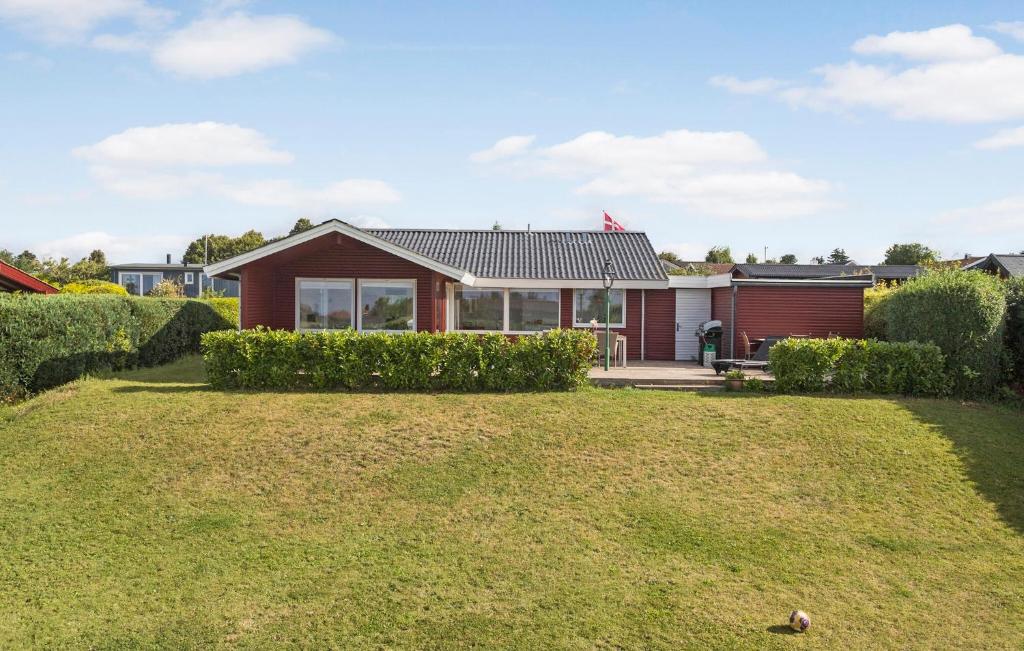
564	255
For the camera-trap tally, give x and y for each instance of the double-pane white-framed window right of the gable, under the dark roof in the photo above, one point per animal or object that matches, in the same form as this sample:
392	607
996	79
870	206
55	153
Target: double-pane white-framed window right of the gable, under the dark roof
505	311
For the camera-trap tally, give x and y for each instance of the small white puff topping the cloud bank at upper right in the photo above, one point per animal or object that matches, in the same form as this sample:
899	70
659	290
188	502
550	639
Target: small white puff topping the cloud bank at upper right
946	44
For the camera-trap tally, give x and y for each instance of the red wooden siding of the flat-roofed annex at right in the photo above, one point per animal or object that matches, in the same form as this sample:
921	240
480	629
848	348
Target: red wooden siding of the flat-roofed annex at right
818	312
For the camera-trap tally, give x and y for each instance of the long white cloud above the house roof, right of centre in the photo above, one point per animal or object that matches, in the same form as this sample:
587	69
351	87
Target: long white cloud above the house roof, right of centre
726	175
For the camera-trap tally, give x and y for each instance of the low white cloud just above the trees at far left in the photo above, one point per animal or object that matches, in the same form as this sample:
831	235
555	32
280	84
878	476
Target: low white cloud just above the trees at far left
117	248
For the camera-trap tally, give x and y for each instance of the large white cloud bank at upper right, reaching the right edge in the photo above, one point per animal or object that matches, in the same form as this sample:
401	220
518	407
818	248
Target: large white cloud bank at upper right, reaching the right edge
956	77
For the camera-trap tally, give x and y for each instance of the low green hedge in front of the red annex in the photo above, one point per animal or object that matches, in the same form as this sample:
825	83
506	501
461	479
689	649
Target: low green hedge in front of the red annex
852	366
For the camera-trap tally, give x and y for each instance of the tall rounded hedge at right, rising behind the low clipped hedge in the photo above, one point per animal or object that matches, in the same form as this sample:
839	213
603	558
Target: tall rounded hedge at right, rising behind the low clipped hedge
963	314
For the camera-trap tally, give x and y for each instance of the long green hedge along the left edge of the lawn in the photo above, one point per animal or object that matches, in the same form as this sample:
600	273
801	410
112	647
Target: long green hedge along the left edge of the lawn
47	341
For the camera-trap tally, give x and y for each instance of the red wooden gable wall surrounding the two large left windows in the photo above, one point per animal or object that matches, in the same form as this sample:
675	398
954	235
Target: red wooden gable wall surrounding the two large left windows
269	284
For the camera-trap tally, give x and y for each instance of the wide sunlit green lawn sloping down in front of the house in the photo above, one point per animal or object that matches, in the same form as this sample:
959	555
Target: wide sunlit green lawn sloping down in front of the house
149	511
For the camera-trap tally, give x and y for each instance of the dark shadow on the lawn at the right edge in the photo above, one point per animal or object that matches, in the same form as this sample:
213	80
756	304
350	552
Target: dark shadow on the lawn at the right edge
992	451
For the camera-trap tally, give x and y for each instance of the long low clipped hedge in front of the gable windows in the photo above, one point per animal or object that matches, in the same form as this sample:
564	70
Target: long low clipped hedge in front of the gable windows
410	362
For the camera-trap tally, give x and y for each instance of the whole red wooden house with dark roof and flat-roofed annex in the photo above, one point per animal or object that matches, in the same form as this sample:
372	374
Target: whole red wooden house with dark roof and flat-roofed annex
515	282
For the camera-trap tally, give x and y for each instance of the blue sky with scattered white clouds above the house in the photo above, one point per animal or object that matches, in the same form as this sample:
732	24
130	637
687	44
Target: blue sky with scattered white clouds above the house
136	125
